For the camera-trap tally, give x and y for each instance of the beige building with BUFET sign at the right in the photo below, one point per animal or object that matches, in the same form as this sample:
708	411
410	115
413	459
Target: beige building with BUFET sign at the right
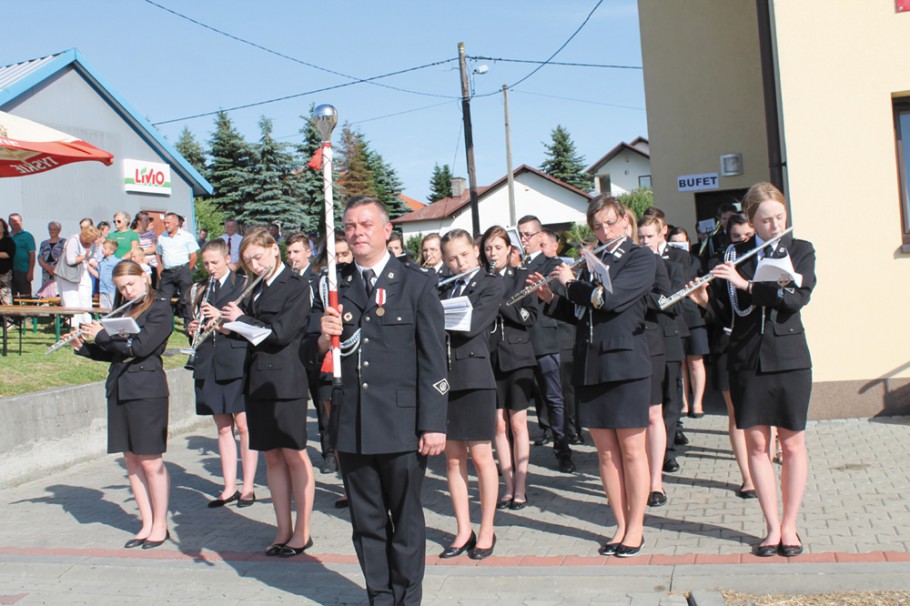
815	97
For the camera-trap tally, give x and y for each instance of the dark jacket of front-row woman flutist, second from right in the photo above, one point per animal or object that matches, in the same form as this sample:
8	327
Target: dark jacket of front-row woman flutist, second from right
610	343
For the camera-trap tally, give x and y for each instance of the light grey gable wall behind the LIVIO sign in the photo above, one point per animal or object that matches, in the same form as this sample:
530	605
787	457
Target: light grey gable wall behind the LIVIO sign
85	189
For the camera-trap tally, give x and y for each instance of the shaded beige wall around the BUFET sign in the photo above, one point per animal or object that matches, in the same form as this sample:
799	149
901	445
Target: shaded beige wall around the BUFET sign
703	93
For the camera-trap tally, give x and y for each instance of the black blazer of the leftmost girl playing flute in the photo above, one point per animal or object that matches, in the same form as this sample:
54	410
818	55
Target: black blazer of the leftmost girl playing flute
136	371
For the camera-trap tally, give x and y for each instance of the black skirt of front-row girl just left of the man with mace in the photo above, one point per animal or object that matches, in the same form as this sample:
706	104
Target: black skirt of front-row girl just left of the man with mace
277	423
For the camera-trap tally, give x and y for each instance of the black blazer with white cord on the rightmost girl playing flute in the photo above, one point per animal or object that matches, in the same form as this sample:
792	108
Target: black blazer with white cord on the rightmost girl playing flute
778	343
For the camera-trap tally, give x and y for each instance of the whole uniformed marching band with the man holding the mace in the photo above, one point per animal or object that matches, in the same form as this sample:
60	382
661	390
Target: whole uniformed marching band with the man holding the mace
621	338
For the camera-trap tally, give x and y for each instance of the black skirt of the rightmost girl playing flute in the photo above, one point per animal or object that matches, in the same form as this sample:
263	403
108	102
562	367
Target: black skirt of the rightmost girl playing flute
778	399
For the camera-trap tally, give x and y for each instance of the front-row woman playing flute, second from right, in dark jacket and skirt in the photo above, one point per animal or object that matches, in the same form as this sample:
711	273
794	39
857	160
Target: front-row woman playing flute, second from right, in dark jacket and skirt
612	370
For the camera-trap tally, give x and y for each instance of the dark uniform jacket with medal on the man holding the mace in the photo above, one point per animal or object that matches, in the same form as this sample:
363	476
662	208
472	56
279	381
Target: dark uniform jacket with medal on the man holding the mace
395	385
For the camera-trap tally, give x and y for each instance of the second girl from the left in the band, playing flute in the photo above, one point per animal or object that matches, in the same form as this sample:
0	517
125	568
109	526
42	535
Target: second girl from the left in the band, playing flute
218	371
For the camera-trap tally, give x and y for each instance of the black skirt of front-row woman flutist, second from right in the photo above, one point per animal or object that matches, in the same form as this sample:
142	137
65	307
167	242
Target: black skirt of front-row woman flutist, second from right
614	405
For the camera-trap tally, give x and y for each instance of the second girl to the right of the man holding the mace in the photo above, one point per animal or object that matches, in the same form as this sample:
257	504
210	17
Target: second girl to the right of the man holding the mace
513	360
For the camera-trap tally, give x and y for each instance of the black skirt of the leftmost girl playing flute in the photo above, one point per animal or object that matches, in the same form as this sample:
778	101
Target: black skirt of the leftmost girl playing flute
137	426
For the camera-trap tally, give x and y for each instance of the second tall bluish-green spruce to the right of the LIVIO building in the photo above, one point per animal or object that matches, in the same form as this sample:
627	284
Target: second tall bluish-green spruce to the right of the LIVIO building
274	199
